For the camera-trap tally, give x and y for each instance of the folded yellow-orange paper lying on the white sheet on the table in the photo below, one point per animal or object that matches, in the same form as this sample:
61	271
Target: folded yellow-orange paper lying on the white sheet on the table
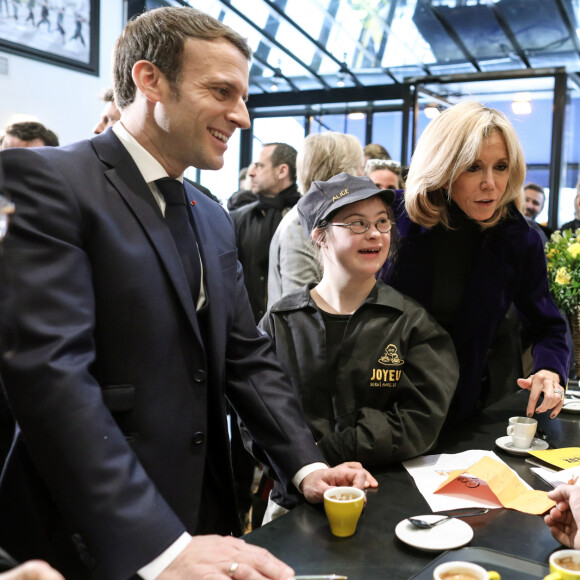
504	484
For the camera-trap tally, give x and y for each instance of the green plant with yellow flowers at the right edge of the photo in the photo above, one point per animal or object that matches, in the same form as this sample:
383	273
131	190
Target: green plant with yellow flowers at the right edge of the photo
563	257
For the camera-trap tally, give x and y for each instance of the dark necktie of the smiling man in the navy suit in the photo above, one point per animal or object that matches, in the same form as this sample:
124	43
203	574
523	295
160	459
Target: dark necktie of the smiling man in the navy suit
177	218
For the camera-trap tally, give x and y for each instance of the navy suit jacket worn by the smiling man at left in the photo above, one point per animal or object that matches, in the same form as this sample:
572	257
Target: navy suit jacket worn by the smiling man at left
116	392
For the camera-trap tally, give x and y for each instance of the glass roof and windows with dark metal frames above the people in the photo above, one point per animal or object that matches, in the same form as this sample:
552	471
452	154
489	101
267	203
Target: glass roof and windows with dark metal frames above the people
324	57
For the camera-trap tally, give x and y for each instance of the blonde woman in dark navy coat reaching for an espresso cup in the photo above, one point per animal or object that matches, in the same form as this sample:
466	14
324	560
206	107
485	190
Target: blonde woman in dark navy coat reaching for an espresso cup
467	253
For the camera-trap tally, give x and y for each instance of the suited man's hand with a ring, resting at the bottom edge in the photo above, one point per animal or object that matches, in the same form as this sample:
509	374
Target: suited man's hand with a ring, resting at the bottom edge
225	557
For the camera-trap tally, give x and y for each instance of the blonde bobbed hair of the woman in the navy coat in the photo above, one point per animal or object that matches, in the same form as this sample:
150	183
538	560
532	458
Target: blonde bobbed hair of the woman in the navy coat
447	147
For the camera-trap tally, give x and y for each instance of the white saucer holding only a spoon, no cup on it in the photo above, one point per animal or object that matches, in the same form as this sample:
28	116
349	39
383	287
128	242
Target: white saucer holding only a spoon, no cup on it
451	534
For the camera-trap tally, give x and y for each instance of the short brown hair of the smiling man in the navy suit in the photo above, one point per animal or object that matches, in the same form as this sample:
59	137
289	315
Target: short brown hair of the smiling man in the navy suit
159	36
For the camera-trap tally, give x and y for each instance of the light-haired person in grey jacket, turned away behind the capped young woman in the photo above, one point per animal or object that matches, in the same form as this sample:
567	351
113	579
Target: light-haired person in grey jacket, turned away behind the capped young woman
292	261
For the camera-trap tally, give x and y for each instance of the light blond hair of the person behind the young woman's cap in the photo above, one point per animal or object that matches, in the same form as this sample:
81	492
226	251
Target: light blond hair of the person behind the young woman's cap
325	155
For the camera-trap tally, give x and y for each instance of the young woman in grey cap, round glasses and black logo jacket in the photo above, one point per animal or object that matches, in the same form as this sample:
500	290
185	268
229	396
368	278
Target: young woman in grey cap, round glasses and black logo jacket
374	371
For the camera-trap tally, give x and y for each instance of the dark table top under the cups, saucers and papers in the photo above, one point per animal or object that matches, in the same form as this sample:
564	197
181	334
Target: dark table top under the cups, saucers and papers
302	538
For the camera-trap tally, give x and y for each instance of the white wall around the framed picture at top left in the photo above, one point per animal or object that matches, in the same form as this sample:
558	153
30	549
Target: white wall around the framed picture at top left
66	101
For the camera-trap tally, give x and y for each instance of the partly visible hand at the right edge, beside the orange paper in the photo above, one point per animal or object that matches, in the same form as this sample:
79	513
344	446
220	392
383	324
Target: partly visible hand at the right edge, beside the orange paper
564	517
